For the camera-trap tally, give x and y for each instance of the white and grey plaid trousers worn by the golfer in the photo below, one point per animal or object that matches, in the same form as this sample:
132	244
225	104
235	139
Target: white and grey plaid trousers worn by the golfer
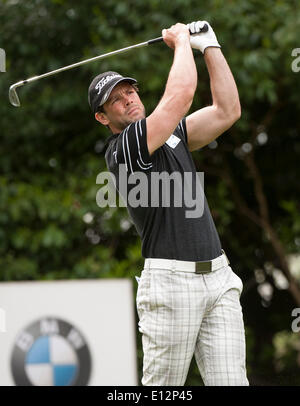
184	314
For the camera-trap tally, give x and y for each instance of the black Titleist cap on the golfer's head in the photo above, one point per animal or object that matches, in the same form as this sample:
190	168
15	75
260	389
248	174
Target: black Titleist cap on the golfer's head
101	87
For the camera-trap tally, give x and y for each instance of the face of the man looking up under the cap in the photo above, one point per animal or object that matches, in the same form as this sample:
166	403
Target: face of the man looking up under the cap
122	108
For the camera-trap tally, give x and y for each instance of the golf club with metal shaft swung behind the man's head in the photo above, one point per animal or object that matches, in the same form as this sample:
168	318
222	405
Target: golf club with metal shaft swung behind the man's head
13	96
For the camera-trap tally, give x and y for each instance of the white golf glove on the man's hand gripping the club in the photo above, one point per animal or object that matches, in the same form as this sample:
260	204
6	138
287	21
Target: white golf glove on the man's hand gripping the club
204	39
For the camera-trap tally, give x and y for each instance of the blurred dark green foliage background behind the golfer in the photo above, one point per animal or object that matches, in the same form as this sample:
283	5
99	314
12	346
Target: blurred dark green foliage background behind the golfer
51	151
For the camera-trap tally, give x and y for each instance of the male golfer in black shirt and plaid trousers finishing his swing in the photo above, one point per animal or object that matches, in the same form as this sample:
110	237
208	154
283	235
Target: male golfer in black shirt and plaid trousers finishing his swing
188	298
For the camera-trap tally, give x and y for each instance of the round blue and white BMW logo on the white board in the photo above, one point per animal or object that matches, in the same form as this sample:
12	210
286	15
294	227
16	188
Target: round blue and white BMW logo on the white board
50	352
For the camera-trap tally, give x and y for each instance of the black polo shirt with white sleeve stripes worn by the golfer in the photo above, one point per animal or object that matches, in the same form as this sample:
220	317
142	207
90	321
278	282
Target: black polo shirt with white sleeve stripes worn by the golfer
169	227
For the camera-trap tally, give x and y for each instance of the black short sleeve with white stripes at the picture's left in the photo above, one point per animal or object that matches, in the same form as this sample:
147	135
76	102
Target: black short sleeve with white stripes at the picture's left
130	148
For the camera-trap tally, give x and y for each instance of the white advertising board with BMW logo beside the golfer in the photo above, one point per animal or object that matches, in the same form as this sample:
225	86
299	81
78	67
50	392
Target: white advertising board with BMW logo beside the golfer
77	332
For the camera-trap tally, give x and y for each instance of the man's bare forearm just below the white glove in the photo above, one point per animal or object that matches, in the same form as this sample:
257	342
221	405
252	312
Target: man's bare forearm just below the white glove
223	88
